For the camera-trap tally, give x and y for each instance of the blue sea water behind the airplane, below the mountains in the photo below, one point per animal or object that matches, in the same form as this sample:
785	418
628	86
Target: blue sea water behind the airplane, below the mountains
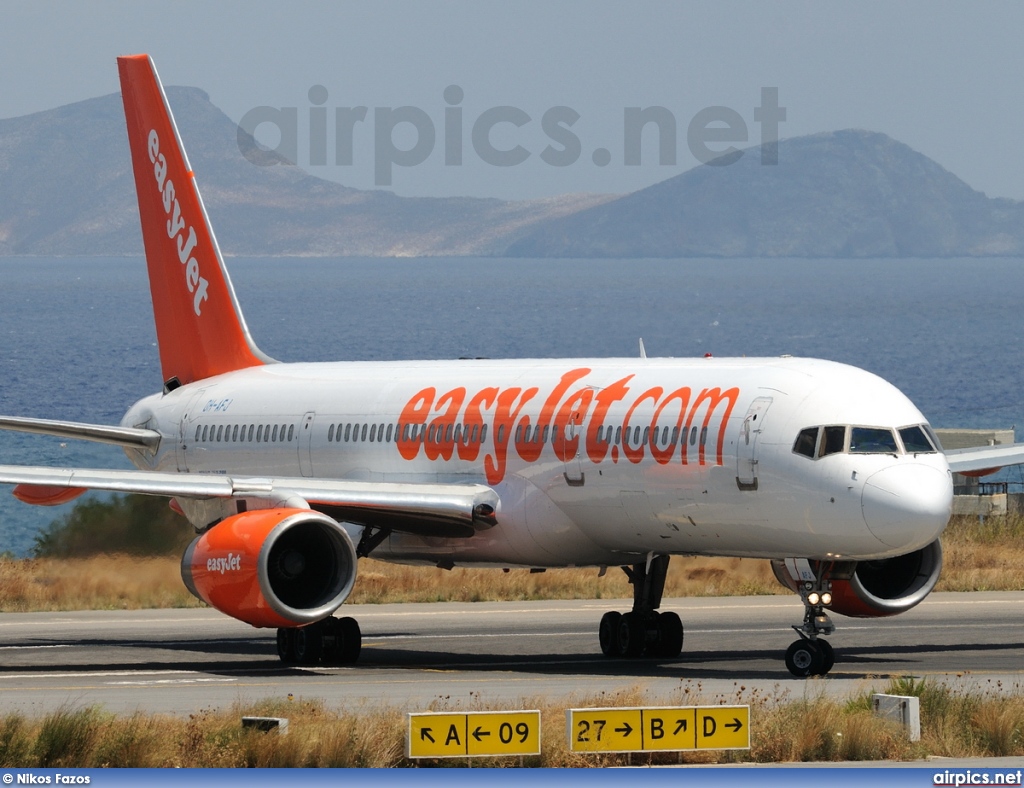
78	338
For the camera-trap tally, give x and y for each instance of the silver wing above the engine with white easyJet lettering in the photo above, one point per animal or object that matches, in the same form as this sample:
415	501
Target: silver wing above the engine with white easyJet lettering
433	510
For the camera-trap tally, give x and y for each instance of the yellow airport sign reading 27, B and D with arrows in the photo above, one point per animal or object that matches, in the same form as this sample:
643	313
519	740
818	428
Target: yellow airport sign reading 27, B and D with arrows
649	730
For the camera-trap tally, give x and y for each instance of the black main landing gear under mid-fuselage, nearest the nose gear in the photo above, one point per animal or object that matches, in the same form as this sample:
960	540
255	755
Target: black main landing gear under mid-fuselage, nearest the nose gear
644	632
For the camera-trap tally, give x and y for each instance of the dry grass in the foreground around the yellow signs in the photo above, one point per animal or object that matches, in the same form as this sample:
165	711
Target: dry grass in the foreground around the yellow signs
816	729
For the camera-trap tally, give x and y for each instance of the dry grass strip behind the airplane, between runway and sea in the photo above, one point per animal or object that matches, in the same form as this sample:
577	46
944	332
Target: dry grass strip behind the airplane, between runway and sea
986	556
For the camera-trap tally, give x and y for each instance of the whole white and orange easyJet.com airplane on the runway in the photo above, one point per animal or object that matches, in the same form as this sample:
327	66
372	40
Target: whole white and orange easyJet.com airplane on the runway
291	472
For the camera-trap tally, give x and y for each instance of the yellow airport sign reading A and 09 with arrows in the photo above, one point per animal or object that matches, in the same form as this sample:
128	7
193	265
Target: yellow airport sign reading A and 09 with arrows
449	735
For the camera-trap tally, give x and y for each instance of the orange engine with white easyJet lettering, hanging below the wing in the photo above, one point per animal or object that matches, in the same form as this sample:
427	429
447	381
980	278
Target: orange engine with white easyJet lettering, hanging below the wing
273	567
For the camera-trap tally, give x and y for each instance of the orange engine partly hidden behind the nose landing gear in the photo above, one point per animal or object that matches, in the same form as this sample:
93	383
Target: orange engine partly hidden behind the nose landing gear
877	589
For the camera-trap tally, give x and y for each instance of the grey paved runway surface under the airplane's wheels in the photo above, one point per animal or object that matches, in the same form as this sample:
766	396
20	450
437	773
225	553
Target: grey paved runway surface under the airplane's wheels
495	655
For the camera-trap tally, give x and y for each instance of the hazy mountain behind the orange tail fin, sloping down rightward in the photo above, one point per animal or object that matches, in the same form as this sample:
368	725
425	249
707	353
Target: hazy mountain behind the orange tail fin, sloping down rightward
67	189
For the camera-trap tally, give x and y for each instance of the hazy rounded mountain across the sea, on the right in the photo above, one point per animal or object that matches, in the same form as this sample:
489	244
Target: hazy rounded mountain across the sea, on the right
842	195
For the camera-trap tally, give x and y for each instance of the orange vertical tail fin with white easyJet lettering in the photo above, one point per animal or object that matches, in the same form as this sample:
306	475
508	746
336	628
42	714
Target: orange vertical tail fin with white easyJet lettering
200	329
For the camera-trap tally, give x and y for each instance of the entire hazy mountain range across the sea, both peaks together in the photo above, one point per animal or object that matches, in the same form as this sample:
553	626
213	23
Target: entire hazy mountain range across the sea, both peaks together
67	189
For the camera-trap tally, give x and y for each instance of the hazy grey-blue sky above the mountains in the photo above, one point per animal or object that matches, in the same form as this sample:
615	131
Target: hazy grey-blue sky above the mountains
947	78
